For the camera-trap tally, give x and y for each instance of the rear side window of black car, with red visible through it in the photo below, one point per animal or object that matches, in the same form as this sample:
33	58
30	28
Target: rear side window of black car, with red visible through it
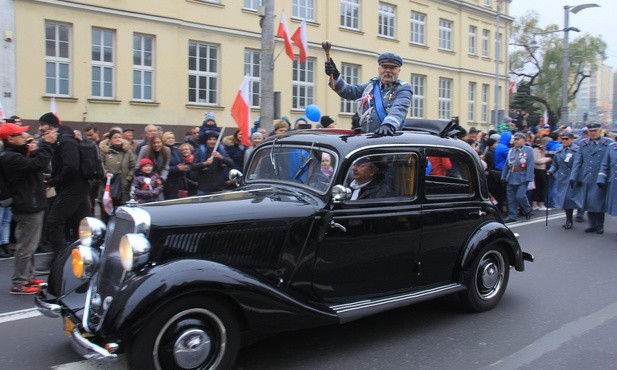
447	175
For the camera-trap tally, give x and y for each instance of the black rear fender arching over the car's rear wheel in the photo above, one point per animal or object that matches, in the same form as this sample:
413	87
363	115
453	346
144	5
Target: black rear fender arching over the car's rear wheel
493	233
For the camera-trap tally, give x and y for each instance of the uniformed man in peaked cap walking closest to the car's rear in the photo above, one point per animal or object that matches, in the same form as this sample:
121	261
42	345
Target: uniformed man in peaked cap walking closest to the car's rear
518	173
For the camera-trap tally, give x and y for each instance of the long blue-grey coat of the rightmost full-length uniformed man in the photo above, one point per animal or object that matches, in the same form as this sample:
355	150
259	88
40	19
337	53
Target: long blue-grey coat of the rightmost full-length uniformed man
585	170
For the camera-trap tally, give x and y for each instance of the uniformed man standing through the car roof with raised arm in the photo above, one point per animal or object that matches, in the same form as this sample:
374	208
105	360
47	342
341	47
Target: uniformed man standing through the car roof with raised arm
384	100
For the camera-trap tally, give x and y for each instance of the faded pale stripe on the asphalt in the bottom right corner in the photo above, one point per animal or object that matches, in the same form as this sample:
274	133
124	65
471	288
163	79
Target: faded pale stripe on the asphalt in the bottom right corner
555	339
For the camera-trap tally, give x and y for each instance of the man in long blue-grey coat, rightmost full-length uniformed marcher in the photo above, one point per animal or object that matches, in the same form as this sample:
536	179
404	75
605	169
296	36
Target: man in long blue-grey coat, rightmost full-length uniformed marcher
585	175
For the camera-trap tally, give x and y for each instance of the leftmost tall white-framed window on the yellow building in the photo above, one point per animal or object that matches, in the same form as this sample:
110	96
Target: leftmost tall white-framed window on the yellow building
57	59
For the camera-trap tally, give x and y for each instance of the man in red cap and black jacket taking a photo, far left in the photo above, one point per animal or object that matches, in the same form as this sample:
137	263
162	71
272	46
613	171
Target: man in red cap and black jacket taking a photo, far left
22	165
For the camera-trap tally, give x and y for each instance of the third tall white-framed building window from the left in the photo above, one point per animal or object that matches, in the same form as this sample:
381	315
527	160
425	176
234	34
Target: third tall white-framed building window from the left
143	67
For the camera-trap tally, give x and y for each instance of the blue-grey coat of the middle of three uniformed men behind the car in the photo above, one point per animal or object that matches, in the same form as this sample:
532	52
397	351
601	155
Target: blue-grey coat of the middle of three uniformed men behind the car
561	168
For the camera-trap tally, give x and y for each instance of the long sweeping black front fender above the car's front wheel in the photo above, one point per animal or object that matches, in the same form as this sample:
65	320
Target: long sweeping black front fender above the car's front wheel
265	308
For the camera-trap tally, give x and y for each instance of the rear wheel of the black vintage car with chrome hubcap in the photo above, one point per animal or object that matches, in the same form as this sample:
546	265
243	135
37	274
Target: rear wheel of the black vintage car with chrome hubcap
487	279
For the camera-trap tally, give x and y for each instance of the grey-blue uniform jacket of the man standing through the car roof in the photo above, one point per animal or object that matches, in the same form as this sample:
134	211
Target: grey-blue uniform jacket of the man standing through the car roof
396	102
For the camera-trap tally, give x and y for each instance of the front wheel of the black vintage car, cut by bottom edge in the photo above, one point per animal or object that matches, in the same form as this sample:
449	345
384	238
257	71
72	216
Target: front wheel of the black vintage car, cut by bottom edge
190	333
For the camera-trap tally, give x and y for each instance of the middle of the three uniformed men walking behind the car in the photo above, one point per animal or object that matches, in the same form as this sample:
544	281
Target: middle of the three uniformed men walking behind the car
566	198
